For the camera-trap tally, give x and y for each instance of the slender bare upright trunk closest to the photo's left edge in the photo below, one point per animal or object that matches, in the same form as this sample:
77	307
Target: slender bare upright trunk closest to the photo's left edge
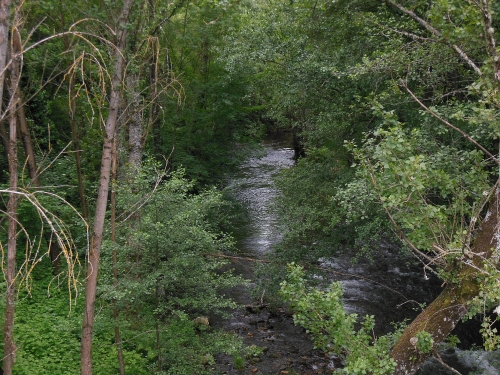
10	272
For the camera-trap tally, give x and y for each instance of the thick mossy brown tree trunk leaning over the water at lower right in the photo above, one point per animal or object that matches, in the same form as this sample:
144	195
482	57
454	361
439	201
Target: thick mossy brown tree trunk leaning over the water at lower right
442	315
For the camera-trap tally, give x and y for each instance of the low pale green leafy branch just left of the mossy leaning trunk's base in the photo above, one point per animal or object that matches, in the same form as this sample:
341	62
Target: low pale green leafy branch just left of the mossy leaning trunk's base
332	329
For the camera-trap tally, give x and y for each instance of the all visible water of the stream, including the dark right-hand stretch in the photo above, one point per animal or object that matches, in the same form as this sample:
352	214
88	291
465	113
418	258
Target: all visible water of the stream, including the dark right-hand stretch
390	288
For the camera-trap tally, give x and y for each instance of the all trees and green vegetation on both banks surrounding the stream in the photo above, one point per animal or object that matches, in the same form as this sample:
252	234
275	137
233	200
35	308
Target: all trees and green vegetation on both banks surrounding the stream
118	118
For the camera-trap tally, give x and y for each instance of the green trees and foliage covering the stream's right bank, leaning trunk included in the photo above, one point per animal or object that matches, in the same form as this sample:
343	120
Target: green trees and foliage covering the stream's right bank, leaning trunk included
394	106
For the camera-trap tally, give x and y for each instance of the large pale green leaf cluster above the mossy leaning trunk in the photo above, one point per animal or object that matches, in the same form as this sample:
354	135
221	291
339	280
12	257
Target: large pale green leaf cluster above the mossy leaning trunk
432	190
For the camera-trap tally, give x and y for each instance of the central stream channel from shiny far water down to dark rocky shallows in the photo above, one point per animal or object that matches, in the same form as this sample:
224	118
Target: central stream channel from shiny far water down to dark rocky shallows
287	349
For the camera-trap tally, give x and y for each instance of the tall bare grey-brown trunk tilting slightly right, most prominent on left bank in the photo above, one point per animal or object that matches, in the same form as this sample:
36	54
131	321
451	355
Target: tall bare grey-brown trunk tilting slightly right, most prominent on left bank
102	194
